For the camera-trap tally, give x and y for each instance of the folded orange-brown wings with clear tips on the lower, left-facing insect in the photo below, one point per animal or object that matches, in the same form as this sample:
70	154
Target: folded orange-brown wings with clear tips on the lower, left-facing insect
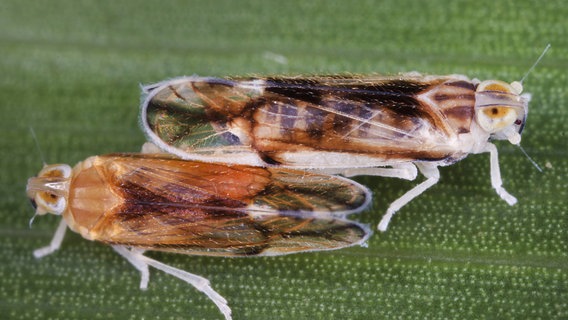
213	209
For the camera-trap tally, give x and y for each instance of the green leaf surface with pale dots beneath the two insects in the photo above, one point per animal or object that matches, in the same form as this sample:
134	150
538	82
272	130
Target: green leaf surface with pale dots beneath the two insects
72	69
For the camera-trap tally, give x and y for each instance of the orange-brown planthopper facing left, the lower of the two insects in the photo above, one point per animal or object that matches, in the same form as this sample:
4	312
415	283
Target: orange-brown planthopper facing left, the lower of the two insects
141	202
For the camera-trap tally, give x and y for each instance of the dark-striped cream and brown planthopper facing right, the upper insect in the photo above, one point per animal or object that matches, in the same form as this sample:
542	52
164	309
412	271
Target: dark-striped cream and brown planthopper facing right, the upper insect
349	125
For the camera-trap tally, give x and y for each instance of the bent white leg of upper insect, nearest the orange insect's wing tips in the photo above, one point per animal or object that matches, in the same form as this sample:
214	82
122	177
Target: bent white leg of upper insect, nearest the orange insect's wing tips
432	175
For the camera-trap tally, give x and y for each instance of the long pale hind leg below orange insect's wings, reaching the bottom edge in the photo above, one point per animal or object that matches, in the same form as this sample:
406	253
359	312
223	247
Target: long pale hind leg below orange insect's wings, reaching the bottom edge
141	262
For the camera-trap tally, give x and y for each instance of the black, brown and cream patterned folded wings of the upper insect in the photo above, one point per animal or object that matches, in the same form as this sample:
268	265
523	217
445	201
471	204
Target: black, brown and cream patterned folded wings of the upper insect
387	118
